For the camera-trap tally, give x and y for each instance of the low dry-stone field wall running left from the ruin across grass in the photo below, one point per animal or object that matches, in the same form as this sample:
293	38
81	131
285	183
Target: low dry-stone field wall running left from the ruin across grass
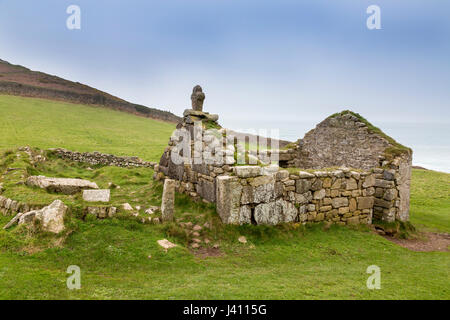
95	158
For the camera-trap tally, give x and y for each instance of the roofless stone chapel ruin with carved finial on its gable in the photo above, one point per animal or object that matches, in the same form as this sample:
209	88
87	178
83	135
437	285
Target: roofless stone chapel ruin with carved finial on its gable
344	171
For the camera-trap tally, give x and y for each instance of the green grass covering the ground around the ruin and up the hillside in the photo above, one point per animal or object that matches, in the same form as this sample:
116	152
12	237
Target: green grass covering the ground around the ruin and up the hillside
283	262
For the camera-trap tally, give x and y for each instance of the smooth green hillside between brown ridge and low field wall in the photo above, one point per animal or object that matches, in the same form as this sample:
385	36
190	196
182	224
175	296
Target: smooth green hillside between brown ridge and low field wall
48	124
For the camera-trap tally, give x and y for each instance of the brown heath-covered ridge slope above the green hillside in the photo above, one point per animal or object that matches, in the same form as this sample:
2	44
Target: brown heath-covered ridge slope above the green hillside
20	81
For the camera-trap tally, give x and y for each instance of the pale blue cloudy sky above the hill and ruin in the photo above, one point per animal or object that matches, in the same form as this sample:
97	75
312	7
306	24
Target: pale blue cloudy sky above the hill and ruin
257	60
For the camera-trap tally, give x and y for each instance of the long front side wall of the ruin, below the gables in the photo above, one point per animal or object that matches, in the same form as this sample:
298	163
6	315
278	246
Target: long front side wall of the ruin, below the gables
256	195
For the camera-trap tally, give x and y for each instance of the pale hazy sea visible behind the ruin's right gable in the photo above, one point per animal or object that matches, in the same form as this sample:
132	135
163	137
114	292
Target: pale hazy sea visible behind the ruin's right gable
430	142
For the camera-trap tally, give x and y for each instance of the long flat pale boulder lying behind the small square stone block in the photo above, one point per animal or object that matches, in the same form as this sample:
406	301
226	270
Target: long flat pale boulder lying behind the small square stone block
60	185
